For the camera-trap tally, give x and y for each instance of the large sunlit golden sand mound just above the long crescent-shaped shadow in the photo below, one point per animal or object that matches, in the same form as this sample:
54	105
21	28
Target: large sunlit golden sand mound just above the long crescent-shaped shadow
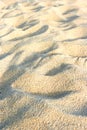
55	83
